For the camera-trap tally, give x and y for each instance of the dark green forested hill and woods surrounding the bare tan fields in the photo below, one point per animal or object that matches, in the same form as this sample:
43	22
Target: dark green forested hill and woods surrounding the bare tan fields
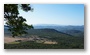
64	41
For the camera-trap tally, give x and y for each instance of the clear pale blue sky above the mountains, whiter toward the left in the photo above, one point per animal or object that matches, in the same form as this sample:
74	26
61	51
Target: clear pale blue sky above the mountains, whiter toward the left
61	14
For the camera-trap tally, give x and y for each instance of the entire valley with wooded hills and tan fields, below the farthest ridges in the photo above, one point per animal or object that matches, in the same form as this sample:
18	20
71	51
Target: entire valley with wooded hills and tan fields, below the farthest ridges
45	38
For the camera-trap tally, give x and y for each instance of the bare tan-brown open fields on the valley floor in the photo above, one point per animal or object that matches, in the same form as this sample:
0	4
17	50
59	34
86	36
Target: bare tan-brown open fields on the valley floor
11	39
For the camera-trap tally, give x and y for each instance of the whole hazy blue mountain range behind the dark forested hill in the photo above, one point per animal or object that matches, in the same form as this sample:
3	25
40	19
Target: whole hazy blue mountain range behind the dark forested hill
69	29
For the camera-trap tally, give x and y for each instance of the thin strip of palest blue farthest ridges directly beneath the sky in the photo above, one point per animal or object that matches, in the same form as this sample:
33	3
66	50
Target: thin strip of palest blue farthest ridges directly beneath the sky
60	28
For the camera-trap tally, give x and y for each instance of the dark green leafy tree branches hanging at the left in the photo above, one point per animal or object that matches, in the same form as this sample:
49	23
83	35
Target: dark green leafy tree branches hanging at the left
16	23
